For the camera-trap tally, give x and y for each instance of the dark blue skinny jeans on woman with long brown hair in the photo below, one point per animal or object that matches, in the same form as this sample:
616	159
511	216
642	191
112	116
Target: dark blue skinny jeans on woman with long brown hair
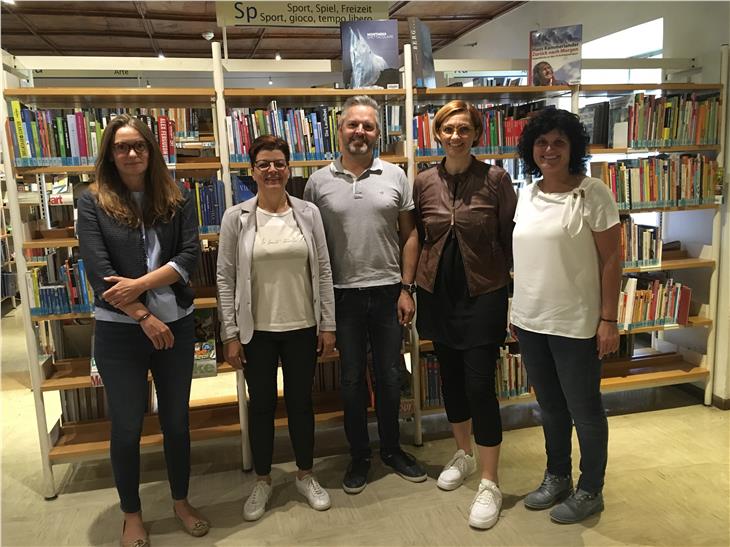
123	355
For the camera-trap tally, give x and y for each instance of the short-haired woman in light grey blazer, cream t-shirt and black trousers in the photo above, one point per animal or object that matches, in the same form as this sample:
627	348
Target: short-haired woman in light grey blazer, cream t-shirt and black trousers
276	302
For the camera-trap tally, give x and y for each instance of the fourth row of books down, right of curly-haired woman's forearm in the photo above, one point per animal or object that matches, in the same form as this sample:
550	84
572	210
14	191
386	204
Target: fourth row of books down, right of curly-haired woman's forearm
649	300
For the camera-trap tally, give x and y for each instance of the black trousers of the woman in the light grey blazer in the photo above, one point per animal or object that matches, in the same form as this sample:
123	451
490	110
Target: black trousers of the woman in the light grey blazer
298	352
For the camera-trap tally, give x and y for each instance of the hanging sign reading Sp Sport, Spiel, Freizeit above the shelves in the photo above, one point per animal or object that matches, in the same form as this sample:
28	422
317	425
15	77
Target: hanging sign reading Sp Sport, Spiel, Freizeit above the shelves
297	14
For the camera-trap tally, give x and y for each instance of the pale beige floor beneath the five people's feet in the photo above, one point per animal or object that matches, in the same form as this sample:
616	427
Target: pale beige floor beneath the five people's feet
667	484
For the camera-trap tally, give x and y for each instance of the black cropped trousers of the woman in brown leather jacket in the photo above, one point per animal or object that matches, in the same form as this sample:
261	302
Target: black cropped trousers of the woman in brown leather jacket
467	382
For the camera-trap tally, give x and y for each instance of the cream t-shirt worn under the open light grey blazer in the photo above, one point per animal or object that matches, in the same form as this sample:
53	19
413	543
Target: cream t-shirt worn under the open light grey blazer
281	282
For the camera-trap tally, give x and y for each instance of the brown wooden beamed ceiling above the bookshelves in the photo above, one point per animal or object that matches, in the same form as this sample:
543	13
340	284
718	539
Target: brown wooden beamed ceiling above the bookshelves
145	29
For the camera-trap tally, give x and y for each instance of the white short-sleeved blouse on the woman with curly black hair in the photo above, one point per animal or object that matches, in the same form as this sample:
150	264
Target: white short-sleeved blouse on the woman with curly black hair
557	283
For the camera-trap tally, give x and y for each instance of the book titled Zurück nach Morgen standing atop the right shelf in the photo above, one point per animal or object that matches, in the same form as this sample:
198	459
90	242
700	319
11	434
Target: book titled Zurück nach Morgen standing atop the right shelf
555	55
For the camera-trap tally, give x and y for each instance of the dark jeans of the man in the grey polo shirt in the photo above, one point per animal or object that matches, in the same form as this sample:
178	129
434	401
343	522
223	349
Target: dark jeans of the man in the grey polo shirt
369	314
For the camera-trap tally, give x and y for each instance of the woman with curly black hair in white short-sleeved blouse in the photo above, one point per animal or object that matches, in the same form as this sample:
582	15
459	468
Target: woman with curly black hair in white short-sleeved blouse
567	273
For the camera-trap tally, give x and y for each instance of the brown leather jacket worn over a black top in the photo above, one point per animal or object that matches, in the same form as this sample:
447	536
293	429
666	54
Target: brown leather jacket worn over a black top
481	216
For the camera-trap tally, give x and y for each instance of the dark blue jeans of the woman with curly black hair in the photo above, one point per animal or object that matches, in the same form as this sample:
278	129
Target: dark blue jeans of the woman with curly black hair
566	375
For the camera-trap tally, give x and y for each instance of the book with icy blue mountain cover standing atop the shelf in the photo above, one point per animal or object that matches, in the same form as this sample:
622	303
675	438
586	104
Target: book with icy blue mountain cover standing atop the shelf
370	54
